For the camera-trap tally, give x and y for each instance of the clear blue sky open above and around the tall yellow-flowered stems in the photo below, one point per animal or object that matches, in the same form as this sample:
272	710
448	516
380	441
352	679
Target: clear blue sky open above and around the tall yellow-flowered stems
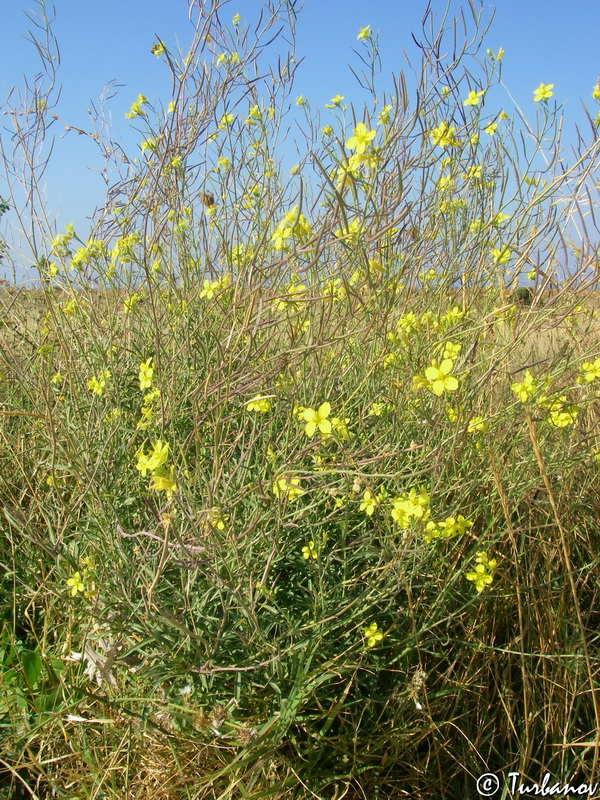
550	42
